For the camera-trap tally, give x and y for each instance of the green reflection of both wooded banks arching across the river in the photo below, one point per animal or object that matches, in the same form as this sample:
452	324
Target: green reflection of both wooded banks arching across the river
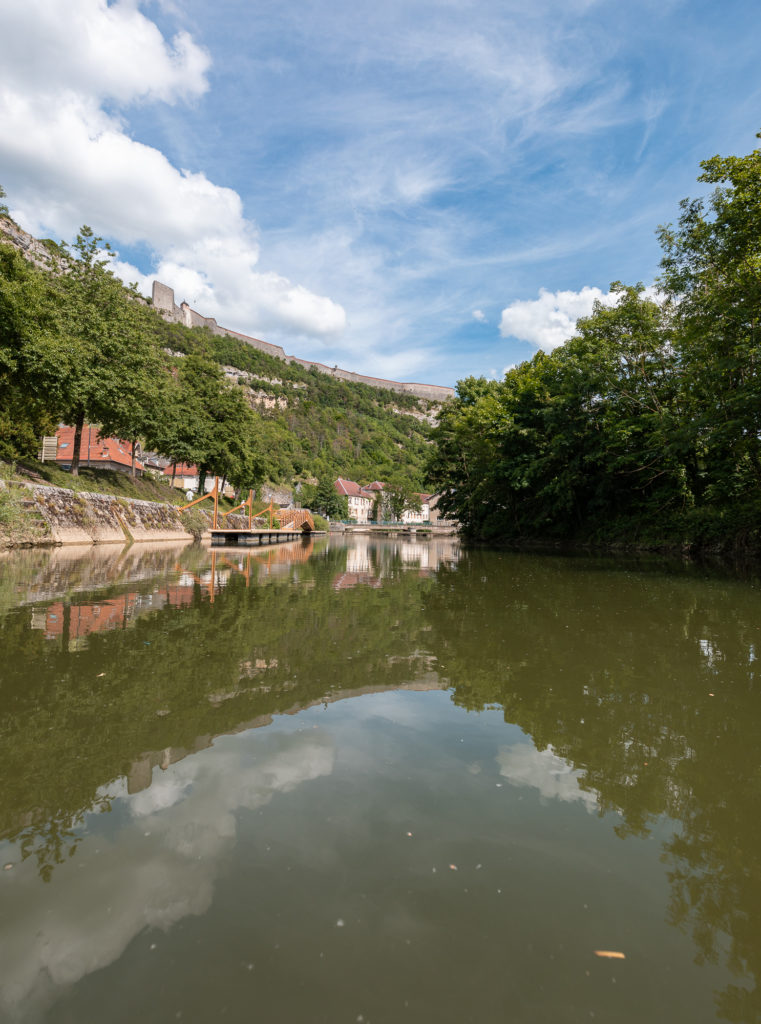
614	671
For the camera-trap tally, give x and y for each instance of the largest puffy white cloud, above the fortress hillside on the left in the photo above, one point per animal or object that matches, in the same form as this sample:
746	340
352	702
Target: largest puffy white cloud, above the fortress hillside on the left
67	160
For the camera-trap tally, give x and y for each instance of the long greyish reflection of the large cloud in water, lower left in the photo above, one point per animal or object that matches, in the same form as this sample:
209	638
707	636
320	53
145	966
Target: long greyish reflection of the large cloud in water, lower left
161	868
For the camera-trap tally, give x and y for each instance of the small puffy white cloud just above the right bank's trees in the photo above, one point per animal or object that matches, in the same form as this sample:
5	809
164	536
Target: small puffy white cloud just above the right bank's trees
551	320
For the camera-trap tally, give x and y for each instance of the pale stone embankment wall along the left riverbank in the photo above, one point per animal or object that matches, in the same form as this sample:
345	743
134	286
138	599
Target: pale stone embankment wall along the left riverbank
62	517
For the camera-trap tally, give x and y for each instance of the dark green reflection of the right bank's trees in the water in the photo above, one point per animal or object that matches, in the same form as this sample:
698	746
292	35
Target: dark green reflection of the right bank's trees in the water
647	686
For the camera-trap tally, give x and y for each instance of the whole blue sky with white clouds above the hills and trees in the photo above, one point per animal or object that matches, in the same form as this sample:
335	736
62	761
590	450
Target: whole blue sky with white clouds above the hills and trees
417	190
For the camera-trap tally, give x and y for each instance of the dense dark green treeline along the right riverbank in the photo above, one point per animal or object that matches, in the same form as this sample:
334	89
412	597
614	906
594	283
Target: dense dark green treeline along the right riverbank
646	426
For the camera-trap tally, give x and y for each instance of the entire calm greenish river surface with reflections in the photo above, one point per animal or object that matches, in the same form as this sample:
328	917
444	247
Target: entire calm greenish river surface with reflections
377	783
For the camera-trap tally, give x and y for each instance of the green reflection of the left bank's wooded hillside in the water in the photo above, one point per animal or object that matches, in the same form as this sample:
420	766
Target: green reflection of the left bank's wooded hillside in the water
73	719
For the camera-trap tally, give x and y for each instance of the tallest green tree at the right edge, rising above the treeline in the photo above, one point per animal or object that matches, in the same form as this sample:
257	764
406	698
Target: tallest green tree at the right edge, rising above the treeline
712	273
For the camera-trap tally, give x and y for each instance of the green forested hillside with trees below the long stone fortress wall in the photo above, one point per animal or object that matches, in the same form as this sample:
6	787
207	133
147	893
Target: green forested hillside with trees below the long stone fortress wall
78	347
